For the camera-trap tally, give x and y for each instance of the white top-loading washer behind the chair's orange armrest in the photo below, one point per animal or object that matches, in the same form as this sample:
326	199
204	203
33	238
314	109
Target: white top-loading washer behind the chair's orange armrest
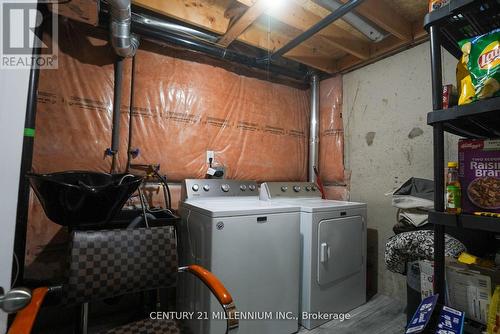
252	246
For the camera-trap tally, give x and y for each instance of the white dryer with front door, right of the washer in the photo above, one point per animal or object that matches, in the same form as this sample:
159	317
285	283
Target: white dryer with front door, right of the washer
333	251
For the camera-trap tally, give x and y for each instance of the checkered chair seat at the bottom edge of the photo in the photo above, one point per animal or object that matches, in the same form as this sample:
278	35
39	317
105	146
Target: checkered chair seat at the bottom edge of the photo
149	326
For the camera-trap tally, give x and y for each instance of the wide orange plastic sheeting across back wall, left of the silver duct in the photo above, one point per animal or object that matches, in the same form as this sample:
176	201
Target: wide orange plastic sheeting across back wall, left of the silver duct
257	129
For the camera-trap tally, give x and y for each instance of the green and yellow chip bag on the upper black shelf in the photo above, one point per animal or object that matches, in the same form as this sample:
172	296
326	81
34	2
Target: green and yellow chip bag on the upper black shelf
482	56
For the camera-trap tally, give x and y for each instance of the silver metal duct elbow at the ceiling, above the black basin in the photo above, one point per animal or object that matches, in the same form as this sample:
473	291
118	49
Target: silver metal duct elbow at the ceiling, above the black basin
124	44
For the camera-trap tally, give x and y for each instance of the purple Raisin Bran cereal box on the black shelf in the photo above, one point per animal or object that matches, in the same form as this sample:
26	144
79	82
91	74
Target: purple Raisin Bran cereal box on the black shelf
479	174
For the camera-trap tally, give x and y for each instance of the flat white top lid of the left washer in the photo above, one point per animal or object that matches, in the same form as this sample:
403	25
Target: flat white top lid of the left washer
229	207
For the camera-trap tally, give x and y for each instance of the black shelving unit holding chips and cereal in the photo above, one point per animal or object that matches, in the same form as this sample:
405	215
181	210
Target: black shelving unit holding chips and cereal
458	20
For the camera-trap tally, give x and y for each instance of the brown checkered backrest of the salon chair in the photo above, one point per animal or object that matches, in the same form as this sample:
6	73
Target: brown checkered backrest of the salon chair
110	263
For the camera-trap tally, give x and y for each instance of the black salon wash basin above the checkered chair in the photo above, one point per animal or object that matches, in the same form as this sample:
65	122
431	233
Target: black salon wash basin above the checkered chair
80	198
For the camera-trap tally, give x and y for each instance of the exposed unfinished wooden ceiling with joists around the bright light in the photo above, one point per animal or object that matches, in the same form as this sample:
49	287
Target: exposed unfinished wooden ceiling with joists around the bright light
339	47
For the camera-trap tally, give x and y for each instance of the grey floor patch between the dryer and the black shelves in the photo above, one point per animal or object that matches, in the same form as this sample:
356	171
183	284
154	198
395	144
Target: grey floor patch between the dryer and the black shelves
381	315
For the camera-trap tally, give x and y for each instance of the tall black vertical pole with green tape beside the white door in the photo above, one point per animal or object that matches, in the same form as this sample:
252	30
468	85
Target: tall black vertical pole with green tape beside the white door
23	195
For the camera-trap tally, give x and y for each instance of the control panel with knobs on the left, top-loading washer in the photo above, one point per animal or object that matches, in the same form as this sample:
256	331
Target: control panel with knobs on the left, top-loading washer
196	188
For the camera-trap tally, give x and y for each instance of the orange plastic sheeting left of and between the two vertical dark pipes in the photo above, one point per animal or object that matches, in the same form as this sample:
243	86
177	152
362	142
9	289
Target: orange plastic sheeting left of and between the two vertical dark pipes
73	122
